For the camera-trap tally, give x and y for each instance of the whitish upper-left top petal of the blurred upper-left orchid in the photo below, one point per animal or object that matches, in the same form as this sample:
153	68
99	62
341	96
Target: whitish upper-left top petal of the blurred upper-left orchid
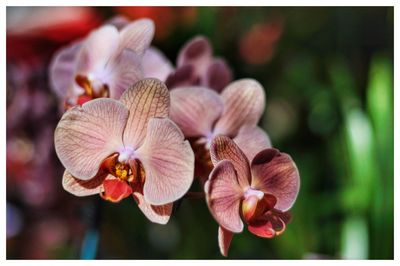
98	49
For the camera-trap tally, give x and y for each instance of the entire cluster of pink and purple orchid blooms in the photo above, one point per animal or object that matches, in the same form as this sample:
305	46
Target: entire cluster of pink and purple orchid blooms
135	125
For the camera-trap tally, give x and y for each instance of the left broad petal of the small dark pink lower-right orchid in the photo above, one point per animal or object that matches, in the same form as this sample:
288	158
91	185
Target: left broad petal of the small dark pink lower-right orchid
223	195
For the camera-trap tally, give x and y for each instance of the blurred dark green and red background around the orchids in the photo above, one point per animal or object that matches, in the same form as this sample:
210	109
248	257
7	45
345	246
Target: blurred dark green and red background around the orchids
328	76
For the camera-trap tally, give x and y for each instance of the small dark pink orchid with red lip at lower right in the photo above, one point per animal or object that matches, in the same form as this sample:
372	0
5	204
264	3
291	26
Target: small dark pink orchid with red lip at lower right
261	192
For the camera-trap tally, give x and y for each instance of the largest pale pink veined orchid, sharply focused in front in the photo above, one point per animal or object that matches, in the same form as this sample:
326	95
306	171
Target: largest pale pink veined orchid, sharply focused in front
126	147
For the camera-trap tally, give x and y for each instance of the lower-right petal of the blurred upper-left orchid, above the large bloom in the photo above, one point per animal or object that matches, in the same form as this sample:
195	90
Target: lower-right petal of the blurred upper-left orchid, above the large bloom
123	71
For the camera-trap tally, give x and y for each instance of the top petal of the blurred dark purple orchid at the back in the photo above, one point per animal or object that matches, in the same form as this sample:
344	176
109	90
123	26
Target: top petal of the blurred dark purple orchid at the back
196	52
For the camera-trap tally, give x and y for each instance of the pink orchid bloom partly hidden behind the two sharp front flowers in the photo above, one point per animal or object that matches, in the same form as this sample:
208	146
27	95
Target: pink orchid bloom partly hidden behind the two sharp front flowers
202	114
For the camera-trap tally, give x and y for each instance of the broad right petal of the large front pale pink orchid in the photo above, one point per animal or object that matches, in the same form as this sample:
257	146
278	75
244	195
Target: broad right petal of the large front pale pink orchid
168	162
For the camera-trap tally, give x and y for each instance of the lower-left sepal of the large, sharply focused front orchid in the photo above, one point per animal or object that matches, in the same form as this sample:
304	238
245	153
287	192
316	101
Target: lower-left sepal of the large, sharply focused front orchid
82	188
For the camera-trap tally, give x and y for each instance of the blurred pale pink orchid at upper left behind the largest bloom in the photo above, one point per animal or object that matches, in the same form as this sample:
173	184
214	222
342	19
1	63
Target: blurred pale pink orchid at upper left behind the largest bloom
102	65
